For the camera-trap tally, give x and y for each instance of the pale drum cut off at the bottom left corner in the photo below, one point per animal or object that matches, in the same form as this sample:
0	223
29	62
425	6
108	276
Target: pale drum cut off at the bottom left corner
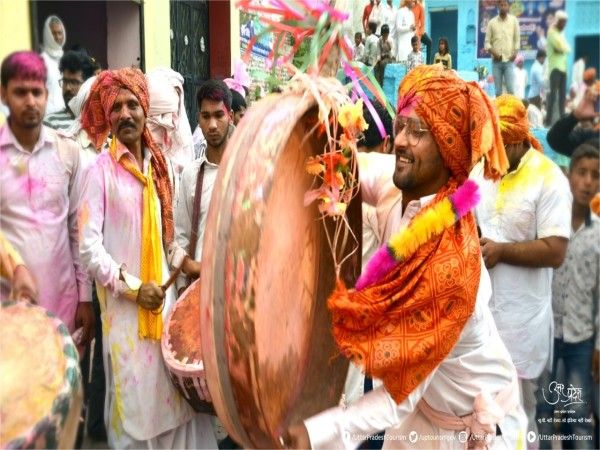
40	382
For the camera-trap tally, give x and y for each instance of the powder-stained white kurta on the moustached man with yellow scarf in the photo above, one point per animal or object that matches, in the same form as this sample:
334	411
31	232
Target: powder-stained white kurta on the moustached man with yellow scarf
142	407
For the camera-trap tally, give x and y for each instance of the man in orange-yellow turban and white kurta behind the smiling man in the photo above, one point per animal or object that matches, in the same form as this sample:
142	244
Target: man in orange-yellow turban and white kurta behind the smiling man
525	224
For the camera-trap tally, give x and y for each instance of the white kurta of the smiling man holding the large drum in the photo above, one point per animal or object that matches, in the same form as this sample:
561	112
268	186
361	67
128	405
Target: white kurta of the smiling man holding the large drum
479	363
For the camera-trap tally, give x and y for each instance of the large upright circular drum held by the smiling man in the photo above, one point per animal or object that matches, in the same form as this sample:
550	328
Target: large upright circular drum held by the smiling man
267	271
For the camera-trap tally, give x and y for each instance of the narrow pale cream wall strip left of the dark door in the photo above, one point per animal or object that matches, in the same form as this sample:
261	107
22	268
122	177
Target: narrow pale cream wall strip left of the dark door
157	34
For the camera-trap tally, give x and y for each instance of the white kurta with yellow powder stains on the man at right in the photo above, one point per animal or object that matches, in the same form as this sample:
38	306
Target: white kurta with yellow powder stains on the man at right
531	202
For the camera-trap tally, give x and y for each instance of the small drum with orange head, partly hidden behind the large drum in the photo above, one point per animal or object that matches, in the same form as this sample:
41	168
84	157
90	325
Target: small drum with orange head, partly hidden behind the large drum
182	352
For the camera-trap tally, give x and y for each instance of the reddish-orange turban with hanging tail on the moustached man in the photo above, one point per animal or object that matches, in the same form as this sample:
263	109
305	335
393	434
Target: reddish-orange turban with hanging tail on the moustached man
95	120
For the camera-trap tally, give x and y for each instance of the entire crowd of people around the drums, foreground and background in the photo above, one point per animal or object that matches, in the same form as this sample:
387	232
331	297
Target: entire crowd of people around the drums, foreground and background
105	191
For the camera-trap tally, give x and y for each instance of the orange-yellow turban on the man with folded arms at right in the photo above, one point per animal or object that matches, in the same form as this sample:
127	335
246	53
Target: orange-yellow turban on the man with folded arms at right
514	125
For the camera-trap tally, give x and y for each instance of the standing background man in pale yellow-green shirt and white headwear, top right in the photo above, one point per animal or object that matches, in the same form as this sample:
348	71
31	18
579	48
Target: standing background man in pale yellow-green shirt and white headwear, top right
557	49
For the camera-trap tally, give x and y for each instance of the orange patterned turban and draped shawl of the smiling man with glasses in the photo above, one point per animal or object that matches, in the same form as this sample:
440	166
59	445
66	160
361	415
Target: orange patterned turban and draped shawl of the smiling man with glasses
400	329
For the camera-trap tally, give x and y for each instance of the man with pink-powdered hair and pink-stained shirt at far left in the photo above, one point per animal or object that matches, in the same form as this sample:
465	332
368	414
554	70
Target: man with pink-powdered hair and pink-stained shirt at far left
40	178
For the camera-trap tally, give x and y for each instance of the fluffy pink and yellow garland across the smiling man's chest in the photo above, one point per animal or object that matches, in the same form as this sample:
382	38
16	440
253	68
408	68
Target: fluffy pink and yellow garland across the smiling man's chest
429	223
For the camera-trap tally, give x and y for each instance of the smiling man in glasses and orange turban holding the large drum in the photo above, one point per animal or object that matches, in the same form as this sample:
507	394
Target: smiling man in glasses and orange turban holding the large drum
422	325
